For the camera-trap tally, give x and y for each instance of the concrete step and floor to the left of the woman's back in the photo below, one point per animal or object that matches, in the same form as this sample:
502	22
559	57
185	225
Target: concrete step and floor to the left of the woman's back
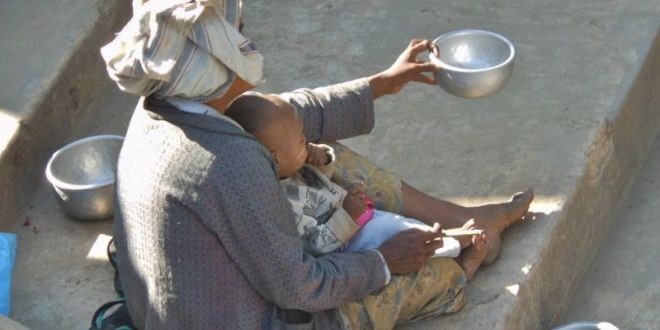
54	90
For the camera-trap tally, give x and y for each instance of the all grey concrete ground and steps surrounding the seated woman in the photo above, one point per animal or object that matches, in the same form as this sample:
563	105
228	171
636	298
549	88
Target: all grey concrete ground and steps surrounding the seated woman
573	123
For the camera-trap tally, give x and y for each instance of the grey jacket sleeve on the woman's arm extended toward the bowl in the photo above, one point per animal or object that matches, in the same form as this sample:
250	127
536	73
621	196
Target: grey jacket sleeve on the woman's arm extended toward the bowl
335	112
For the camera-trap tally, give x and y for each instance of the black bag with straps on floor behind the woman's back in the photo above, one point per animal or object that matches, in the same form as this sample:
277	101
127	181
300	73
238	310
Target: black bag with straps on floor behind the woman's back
119	319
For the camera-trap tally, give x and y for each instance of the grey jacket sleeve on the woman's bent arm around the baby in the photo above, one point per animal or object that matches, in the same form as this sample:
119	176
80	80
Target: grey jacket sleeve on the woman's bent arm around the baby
254	222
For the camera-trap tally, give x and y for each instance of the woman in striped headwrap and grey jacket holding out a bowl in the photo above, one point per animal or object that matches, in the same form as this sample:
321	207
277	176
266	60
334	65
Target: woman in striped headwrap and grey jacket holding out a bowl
204	234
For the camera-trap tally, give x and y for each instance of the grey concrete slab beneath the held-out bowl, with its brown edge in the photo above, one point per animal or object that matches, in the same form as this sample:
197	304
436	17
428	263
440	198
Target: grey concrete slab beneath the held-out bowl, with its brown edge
544	130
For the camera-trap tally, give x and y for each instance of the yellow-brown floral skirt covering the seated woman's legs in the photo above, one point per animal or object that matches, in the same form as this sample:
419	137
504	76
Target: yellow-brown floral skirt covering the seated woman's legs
435	290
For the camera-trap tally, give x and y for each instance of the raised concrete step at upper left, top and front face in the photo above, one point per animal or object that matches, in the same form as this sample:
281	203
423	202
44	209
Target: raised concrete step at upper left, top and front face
51	68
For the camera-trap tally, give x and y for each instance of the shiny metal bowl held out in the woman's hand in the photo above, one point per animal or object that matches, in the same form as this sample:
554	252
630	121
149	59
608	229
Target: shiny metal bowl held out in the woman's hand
474	63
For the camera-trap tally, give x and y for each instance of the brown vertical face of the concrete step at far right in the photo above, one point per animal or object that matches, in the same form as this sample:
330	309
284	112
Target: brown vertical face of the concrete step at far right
616	156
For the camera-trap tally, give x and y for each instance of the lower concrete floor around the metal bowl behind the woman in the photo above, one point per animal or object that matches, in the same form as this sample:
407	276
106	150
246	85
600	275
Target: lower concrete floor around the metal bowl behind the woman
55	281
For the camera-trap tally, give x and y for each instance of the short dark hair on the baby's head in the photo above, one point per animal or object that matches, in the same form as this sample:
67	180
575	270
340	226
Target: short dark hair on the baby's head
253	112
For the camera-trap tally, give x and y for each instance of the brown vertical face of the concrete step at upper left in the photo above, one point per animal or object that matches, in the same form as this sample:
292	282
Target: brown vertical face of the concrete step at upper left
55	108
